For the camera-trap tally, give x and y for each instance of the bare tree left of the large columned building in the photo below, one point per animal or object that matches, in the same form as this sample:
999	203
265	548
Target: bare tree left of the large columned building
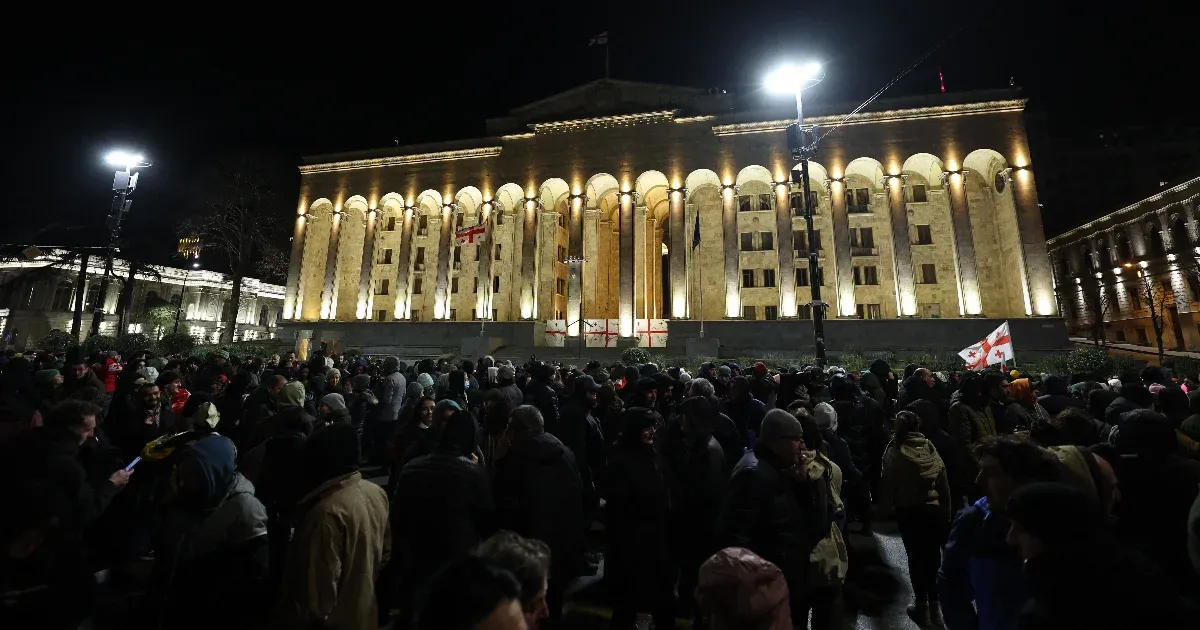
242	221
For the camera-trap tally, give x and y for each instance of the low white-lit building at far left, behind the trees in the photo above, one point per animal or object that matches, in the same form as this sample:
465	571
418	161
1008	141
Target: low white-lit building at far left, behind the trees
35	301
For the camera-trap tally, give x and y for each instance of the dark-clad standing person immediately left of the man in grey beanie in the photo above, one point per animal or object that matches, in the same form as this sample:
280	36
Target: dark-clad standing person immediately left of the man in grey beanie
699	471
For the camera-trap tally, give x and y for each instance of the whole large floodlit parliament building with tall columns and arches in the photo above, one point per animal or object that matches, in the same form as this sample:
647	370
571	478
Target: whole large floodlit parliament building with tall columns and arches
925	208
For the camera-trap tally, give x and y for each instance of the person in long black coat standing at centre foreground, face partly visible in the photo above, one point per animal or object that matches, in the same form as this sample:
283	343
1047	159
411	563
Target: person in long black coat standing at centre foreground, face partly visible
638	568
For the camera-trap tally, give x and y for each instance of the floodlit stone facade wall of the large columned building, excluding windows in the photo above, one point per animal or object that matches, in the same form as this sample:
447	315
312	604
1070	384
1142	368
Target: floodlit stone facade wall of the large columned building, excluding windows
710	160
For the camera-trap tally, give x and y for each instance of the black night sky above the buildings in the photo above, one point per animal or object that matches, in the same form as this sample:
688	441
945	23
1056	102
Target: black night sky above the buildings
326	82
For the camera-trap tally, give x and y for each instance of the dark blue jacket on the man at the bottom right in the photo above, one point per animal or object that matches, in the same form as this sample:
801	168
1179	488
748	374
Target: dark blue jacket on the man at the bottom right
980	567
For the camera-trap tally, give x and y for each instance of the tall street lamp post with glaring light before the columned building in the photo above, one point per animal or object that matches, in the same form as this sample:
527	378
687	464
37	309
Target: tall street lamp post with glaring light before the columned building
794	80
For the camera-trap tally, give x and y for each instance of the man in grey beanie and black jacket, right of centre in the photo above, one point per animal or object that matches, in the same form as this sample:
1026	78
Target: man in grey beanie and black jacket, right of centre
769	507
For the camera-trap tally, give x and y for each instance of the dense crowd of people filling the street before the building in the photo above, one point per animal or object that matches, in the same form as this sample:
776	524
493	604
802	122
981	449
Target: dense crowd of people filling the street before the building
727	499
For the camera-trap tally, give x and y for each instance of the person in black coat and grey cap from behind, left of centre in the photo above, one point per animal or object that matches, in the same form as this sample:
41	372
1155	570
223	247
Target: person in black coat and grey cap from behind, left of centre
539	495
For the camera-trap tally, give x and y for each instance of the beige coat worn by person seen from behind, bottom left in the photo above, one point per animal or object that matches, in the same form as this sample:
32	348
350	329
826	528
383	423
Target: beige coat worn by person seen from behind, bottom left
340	547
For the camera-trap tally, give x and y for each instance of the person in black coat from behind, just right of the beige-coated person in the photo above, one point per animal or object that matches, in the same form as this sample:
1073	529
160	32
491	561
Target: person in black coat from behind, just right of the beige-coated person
442	508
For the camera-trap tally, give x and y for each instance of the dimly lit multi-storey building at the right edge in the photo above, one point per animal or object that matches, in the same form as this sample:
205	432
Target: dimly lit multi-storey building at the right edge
1117	275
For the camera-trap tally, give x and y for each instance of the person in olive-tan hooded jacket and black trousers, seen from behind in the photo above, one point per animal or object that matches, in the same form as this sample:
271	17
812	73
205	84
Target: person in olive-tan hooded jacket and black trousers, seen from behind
916	484
